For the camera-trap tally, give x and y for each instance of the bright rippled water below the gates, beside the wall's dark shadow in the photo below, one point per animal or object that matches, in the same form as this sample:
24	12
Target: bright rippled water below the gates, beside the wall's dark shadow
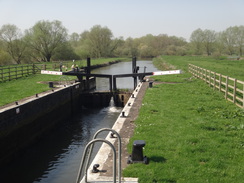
65	167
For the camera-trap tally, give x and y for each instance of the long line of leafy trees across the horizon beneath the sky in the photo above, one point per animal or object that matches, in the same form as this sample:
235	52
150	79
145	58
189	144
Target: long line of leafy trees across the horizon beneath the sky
49	40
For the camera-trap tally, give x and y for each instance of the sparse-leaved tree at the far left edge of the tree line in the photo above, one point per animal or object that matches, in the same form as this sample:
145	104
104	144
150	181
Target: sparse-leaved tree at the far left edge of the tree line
13	41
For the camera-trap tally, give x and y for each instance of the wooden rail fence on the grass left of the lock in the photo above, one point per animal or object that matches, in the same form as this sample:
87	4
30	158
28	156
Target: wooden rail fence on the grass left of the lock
8	73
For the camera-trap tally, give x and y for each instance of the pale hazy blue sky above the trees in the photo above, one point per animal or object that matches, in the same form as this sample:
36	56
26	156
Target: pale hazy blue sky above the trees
127	18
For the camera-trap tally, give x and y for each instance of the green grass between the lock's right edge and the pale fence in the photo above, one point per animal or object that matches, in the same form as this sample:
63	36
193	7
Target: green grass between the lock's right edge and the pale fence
192	134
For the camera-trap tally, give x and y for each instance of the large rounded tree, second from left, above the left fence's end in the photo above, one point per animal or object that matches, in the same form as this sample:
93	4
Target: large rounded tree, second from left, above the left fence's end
45	37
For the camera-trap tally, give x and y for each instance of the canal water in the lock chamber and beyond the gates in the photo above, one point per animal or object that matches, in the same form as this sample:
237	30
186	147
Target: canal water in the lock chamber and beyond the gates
56	157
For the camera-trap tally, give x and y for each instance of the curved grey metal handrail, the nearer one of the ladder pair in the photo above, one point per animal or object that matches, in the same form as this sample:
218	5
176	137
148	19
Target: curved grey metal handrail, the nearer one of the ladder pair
84	157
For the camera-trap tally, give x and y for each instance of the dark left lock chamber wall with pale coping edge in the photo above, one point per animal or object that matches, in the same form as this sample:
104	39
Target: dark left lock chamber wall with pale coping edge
23	124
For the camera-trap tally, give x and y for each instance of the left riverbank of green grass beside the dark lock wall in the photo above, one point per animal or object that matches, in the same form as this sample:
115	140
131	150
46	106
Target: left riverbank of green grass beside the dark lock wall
25	87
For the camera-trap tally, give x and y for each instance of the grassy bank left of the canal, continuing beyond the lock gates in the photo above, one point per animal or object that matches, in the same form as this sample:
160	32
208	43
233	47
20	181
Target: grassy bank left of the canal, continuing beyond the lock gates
15	90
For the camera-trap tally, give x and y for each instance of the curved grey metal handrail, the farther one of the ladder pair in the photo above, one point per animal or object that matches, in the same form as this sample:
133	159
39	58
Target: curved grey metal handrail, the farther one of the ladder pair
119	150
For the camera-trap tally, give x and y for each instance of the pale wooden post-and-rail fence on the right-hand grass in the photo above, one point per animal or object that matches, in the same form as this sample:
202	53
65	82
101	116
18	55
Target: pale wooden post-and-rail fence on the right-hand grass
232	88
